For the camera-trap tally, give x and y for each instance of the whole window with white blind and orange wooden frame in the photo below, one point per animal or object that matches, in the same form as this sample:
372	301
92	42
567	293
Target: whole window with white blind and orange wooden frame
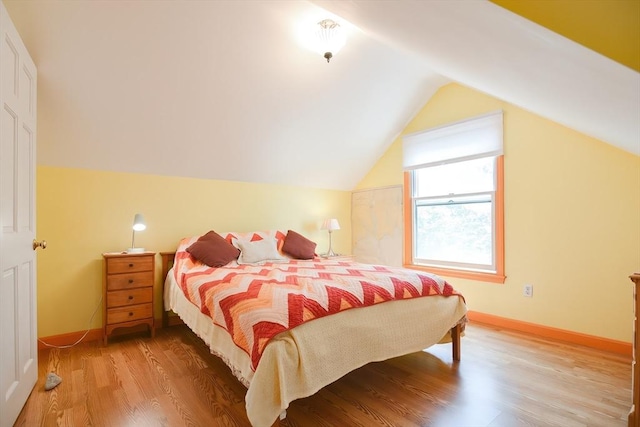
454	199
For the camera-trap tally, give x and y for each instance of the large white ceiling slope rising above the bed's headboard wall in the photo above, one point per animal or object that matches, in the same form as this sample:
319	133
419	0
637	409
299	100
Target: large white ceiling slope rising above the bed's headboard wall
213	89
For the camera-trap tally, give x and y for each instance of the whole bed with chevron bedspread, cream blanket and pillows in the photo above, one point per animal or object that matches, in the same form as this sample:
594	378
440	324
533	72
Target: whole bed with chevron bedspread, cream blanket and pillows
287	327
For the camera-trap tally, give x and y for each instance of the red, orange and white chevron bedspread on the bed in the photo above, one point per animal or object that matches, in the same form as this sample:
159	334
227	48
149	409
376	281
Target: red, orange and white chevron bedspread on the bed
254	303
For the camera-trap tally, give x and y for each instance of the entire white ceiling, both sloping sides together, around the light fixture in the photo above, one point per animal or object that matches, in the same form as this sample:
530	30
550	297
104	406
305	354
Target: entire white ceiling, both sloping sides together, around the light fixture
224	90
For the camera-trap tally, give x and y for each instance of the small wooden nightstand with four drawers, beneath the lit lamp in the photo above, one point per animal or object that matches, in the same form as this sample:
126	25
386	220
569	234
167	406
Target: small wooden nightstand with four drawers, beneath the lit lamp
128	291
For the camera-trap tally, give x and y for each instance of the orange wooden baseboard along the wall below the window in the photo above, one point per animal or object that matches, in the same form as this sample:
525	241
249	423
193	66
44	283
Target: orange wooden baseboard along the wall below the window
592	341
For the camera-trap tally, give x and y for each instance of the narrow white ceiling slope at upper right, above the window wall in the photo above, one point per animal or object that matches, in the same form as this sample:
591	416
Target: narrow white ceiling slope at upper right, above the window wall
495	51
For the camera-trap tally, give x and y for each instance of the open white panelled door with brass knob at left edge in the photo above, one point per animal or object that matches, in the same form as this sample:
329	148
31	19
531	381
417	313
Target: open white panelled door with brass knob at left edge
18	336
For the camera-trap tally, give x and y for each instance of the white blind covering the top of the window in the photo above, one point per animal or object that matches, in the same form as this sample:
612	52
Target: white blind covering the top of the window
465	140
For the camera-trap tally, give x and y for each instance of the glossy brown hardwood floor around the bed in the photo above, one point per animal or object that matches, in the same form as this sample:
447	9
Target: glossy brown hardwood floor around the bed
504	379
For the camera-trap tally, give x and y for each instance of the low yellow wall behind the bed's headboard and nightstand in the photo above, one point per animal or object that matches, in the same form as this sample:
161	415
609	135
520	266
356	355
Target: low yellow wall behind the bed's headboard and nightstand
83	213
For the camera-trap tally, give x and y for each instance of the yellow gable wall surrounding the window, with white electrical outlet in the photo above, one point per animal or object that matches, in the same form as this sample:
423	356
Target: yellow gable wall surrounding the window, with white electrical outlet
572	219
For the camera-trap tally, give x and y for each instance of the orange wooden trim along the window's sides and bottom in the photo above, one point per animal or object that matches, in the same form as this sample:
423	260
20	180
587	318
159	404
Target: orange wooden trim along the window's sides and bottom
494	277
